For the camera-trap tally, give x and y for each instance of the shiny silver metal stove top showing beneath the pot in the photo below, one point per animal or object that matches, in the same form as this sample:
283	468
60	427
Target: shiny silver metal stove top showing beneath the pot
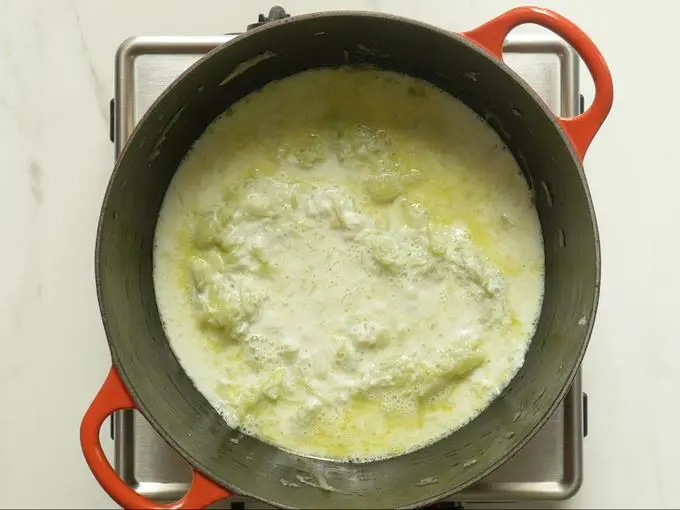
549	467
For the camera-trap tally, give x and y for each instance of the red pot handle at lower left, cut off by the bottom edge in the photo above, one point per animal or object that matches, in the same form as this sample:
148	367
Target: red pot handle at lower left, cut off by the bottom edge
113	396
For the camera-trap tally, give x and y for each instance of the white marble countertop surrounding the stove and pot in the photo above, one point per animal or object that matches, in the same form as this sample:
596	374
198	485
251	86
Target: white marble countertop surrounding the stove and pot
56	78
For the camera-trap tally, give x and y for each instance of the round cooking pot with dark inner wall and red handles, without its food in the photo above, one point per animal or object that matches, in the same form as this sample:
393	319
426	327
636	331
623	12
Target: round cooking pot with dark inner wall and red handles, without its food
147	376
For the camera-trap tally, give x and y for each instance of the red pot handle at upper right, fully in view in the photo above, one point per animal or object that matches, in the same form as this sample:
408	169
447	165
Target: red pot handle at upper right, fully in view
582	128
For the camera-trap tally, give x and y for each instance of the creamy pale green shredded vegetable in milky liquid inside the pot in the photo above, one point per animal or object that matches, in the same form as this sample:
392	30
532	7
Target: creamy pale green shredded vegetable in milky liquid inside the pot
348	264
